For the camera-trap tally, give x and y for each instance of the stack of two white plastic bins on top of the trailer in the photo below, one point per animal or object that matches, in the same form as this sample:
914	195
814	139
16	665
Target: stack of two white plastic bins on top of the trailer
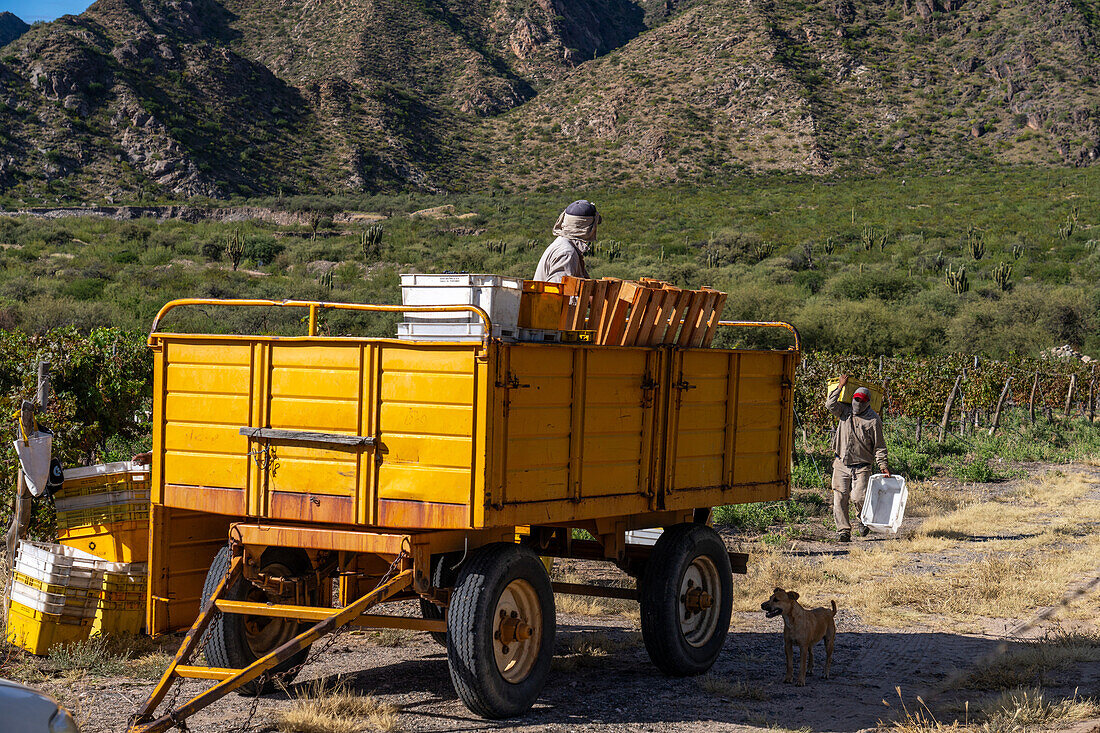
497	296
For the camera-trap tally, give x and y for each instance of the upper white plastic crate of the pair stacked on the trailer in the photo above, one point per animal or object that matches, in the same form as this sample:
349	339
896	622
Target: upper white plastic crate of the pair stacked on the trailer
497	296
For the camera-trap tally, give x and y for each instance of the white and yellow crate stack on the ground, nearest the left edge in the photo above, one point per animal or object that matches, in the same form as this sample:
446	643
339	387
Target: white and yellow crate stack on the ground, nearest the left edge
56	592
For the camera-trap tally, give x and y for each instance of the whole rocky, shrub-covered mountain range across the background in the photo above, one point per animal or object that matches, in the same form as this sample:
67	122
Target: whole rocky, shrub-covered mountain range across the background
224	97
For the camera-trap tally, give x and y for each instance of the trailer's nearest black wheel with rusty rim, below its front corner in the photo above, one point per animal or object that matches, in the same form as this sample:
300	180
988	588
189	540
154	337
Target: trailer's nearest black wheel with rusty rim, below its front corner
500	631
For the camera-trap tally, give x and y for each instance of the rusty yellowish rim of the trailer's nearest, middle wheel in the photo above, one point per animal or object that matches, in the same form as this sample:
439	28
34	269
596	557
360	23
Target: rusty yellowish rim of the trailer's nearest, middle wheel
518	631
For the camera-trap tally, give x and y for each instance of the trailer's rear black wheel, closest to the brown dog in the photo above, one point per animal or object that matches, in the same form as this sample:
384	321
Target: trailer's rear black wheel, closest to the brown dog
687	600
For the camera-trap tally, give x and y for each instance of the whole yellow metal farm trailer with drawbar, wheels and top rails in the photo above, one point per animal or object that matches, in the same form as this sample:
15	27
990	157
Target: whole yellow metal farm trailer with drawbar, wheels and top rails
445	473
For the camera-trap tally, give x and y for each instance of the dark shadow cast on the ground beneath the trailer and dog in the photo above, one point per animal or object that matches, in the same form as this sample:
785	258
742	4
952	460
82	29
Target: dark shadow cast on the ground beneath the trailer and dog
622	687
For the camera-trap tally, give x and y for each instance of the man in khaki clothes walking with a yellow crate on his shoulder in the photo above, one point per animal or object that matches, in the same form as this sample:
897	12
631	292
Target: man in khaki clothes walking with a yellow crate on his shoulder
857	444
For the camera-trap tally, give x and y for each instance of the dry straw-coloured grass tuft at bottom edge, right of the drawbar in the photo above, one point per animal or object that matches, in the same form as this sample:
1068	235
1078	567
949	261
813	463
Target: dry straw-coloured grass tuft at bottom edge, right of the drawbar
336	710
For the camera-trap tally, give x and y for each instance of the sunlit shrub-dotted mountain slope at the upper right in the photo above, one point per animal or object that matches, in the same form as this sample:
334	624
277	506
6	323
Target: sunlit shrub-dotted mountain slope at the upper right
786	85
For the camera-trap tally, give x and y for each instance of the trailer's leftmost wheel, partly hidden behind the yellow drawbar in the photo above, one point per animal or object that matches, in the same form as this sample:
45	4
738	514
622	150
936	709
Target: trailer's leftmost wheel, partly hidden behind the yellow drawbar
236	641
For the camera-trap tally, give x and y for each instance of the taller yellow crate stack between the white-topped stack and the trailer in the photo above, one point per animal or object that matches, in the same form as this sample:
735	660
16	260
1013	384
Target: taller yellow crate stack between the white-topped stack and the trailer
104	510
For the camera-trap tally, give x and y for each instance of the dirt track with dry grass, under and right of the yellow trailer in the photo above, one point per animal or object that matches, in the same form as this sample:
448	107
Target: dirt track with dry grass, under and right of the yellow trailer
603	680
